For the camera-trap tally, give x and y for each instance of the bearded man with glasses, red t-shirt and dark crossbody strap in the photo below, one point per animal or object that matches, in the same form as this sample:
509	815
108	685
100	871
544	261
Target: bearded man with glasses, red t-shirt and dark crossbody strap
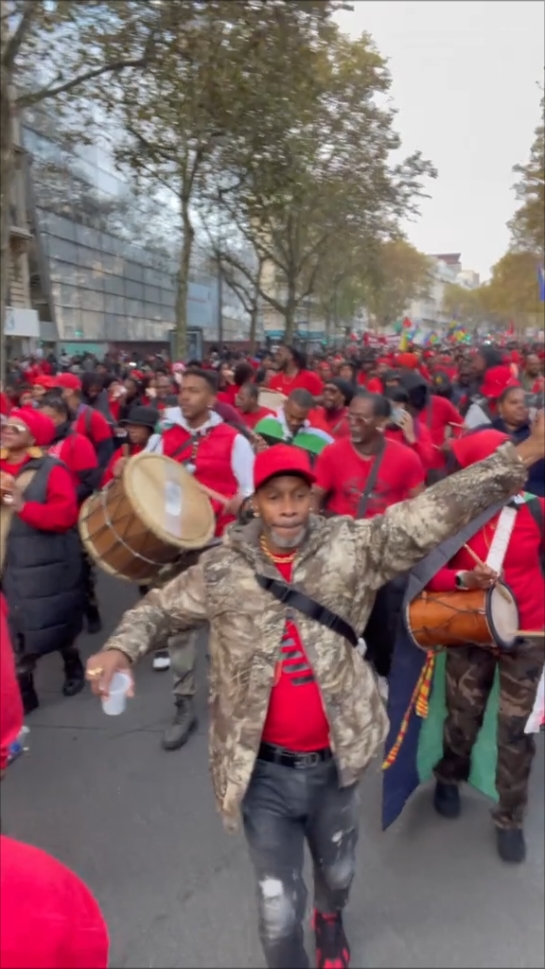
344	468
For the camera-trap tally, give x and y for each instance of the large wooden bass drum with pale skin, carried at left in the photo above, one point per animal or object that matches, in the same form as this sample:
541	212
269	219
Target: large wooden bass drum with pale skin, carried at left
144	519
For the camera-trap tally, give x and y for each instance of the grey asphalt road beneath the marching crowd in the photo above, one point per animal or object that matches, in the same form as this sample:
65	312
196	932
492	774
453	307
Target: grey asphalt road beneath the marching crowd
139	825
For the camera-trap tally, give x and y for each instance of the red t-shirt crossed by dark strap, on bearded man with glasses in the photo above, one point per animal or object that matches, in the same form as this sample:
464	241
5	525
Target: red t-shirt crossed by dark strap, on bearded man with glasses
343	474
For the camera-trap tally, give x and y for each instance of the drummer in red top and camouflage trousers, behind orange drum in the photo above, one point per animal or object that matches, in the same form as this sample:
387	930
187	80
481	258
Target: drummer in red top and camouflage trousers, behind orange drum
470	669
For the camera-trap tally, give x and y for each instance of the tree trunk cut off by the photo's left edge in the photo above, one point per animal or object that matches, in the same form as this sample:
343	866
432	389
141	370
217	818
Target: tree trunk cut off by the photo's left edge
6	188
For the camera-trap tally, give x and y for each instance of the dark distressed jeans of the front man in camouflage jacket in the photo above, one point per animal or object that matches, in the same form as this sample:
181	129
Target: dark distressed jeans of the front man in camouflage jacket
283	808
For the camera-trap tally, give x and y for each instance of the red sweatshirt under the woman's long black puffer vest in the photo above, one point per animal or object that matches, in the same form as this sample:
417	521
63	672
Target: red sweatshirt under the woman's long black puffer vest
60	510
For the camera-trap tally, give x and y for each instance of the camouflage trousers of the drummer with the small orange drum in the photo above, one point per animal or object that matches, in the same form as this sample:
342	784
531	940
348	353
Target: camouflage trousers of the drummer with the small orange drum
469	677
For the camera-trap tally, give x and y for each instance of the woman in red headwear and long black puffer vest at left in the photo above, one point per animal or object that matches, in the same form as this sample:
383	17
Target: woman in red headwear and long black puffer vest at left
41	559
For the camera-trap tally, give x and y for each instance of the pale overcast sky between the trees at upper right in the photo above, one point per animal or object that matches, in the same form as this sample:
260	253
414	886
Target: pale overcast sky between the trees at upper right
465	75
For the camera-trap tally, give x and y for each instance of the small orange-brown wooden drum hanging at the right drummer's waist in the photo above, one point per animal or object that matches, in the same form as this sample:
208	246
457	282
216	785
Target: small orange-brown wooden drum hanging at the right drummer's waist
482	617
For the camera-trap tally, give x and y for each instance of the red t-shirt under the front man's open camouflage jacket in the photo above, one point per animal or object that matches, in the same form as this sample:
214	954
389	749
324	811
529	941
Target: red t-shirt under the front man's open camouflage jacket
296	718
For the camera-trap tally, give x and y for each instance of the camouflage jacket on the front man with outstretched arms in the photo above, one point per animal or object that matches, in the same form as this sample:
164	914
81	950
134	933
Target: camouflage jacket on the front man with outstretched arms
341	564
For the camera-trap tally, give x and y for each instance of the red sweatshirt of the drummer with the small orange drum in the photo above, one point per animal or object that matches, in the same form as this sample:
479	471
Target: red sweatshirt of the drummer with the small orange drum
521	566
